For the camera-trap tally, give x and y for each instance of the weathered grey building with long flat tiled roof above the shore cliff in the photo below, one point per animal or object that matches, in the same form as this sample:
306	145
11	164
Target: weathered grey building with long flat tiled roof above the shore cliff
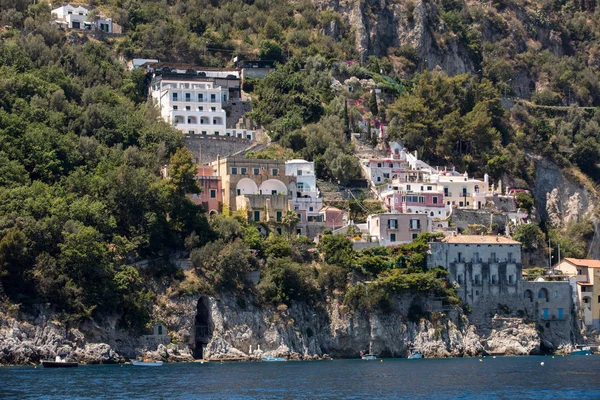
481	266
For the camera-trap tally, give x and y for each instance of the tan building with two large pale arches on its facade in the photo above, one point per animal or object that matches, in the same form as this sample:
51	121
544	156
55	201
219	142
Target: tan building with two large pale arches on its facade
258	186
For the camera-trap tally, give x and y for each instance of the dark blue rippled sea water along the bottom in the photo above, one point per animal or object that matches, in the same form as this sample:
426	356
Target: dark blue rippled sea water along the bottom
568	377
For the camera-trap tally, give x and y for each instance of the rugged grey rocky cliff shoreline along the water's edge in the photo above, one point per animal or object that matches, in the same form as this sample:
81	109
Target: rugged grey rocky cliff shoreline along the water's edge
247	333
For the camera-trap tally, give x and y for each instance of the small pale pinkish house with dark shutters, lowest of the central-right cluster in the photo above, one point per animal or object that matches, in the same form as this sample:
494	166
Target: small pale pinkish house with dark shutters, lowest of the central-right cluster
395	228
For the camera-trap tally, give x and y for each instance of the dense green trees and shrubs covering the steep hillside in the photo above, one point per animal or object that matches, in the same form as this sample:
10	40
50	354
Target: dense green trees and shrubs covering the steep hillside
82	199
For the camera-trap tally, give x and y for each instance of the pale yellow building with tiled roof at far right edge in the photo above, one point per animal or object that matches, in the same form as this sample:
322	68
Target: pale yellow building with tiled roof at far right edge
587	277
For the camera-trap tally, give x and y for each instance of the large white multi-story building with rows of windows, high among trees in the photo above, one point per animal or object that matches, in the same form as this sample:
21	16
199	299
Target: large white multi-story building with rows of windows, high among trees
194	105
